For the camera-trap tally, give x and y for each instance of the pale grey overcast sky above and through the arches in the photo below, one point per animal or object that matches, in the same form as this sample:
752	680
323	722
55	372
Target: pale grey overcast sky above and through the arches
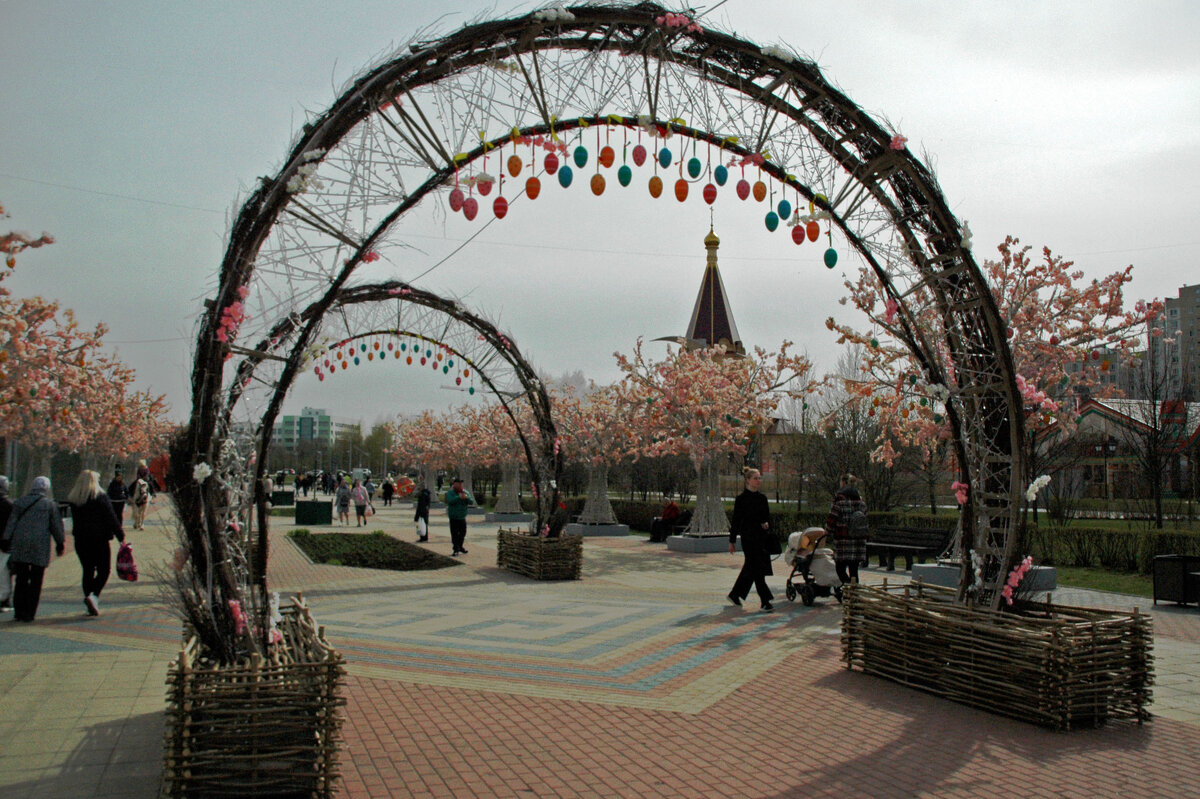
130	131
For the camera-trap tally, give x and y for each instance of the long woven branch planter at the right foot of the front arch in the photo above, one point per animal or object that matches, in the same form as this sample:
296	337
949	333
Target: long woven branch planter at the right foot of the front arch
1060	668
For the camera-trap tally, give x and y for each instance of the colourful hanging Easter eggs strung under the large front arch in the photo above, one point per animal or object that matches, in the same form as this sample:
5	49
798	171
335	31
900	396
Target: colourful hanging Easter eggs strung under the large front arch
559	158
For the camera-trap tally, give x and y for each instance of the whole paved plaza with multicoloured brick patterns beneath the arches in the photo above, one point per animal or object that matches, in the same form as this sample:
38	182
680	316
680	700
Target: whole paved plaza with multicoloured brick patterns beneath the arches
637	681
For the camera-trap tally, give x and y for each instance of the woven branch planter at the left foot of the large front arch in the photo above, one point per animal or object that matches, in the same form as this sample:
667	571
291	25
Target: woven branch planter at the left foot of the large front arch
256	729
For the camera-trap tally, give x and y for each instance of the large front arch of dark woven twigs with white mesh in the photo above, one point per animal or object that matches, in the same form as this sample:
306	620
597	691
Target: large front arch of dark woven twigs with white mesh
407	129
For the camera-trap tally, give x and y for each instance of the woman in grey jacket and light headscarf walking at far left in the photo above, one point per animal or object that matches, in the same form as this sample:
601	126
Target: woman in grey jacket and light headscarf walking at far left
35	520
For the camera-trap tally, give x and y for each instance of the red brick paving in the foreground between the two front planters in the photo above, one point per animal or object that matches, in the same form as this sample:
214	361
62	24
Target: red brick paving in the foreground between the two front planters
809	729
